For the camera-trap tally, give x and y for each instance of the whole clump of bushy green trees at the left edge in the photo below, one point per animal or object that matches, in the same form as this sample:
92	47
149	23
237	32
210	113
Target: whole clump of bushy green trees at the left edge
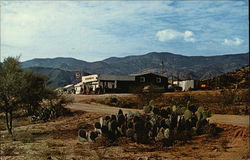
20	89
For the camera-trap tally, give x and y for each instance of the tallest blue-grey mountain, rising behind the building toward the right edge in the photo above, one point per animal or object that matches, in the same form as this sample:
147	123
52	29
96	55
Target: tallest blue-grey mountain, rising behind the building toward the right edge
196	67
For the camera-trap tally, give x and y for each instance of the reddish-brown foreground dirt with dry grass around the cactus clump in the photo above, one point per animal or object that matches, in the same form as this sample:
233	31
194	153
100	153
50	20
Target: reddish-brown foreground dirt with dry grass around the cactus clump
58	140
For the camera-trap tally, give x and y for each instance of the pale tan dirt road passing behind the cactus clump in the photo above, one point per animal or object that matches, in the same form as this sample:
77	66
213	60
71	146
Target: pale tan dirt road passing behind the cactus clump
236	120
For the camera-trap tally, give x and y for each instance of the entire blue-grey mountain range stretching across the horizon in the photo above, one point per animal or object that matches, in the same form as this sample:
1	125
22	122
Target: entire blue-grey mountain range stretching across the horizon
169	64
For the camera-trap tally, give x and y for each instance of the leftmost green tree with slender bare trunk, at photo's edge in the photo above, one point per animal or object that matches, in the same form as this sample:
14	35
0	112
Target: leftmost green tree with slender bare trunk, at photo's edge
11	86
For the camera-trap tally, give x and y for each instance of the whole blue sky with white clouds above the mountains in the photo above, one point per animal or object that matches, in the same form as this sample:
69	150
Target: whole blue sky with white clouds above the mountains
95	30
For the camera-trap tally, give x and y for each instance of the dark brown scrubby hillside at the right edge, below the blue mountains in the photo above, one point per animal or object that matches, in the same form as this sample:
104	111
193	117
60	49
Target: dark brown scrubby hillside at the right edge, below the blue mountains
238	78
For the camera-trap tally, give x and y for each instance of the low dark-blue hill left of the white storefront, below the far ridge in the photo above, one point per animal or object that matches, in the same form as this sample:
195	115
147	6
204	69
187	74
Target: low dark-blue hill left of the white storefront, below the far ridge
58	77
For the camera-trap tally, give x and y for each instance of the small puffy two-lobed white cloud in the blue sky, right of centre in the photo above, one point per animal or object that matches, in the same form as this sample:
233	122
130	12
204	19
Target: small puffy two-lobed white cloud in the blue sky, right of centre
169	34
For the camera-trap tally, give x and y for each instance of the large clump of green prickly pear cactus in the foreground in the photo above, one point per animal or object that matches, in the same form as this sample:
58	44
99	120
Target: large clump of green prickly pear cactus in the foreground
165	125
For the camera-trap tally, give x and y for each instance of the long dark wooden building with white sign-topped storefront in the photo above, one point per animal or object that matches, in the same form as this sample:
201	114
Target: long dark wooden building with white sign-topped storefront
105	83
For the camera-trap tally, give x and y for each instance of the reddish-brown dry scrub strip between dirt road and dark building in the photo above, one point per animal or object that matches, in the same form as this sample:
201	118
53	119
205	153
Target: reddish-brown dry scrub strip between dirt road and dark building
216	101
